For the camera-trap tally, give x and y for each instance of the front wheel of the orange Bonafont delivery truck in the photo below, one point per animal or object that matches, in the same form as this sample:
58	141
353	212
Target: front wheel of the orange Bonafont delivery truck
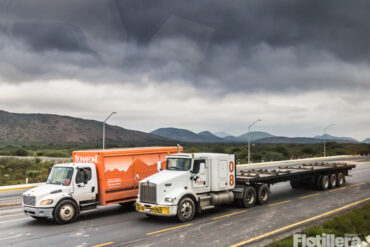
65	212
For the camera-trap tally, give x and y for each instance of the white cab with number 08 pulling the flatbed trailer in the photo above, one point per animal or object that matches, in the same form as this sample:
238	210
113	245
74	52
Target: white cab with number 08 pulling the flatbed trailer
190	183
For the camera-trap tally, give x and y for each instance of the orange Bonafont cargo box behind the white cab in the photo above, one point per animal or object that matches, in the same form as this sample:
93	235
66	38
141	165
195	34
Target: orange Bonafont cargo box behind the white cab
120	170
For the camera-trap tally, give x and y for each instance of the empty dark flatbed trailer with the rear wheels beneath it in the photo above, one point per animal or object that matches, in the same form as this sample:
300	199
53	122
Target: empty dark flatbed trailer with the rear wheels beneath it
253	185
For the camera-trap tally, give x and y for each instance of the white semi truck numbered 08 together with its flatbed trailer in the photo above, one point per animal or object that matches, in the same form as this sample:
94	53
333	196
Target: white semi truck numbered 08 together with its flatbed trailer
195	182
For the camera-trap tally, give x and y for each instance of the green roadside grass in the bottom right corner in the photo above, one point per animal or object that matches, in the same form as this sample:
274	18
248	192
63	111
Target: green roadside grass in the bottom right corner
355	221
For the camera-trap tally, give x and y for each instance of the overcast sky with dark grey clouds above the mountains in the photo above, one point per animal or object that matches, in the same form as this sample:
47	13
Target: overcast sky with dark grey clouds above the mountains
202	65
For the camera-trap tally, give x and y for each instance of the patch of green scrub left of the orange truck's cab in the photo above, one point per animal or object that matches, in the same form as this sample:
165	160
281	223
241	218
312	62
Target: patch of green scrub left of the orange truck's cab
15	171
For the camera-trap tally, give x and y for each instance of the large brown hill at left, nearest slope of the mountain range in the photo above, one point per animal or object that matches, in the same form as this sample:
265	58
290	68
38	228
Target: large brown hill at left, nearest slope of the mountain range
55	129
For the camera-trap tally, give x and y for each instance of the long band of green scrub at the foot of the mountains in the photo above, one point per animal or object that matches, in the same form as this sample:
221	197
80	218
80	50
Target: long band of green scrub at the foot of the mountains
259	152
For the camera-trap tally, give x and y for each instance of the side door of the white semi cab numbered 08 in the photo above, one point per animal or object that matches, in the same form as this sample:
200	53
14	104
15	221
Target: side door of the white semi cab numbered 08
200	176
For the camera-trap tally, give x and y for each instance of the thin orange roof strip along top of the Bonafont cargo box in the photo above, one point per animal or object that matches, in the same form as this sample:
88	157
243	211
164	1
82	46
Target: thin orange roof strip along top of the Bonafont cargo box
133	150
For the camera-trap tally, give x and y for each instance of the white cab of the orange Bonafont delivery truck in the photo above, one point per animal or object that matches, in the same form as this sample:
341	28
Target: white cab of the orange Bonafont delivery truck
69	188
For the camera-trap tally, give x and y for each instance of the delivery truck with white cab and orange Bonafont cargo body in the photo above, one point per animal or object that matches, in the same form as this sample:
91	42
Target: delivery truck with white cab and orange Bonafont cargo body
95	177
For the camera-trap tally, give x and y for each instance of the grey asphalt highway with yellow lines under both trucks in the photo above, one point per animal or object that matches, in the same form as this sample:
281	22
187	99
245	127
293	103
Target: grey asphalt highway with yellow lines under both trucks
224	226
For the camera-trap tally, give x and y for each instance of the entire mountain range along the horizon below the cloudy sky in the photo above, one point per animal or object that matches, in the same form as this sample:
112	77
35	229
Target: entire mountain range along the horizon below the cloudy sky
16	128
